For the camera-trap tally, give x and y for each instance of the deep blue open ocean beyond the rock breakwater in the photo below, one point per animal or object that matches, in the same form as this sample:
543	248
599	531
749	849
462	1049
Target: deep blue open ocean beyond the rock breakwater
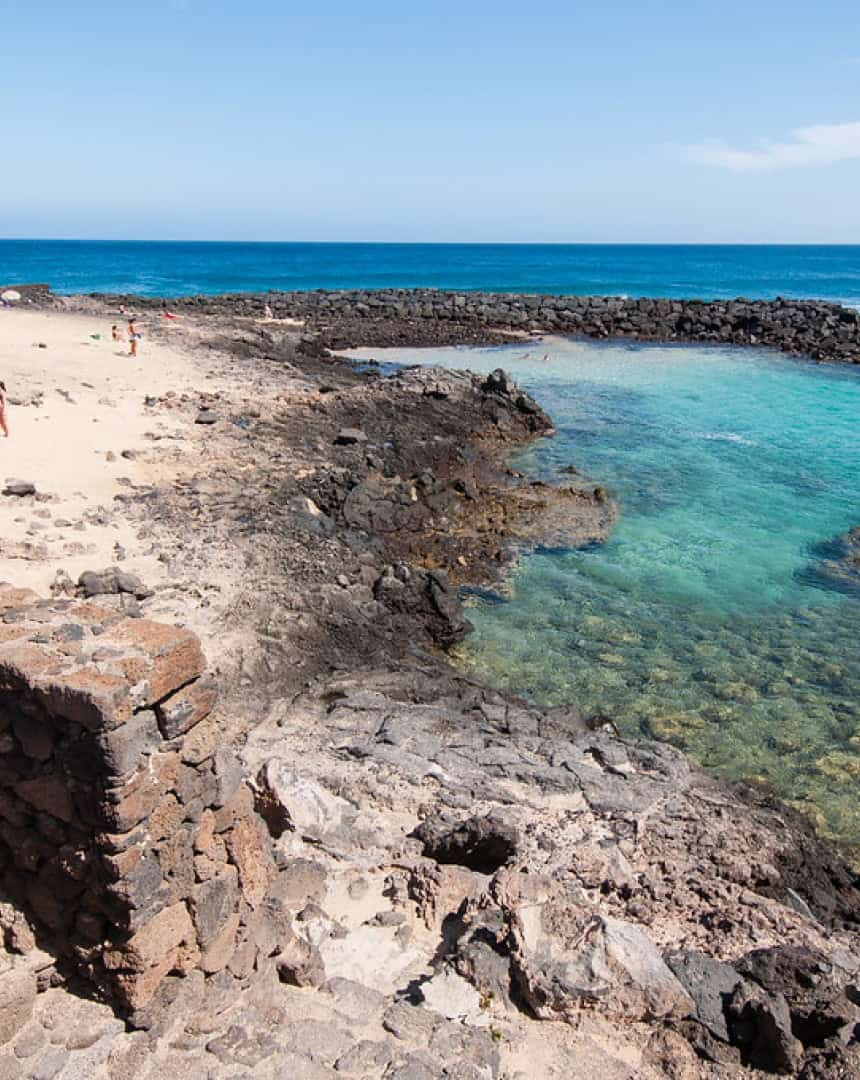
669	271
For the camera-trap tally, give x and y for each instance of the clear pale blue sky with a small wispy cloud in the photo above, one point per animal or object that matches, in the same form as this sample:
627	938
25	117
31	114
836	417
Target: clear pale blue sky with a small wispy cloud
499	121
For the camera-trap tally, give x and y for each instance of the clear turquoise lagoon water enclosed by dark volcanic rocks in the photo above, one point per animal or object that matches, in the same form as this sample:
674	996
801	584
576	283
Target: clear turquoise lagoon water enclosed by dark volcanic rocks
701	622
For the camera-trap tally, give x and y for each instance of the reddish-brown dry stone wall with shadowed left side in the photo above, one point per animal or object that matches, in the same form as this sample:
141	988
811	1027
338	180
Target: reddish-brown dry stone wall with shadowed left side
128	835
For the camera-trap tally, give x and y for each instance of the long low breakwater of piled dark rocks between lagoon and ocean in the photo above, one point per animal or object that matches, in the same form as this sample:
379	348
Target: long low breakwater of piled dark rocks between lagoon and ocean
815	329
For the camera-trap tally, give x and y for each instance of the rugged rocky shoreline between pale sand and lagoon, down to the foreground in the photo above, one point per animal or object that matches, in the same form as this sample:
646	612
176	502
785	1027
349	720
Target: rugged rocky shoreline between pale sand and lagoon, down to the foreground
482	889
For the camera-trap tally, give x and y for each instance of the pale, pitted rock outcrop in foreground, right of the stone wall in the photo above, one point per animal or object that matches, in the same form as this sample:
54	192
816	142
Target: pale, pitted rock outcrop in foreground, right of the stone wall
561	874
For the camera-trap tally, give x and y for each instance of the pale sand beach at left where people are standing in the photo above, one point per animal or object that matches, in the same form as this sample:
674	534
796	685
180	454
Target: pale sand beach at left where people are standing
62	445
